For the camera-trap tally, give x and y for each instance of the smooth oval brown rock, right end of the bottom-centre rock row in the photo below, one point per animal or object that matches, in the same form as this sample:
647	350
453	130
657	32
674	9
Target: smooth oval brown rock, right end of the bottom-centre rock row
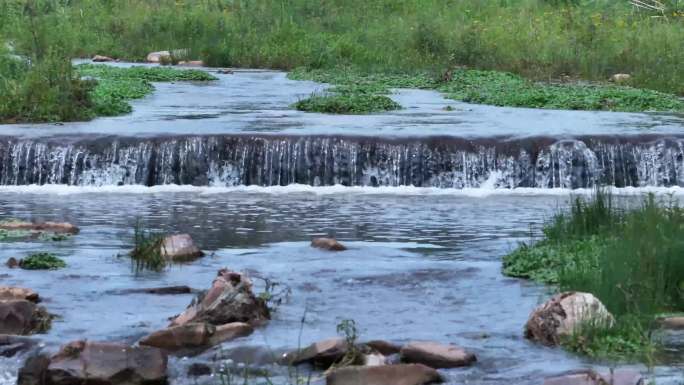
436	355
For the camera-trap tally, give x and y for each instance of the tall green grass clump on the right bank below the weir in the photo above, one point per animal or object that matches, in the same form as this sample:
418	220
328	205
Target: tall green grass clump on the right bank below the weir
628	257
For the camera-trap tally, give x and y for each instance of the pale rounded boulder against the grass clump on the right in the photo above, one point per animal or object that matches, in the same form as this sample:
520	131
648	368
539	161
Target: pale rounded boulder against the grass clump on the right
563	314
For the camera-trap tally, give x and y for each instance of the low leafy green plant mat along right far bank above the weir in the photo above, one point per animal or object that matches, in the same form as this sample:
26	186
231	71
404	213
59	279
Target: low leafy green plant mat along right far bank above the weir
494	88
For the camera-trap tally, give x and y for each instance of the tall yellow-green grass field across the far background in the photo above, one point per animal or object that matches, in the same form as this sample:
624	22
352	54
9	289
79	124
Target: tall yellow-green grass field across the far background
541	39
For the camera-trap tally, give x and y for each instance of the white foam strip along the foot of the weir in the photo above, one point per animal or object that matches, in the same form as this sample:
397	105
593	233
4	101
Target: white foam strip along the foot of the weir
327	190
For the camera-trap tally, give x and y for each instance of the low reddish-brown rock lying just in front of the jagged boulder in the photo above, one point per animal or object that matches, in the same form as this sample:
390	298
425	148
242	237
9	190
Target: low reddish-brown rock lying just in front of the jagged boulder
196	335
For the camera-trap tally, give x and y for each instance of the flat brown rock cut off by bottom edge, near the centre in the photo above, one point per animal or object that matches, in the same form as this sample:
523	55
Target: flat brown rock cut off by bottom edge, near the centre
412	374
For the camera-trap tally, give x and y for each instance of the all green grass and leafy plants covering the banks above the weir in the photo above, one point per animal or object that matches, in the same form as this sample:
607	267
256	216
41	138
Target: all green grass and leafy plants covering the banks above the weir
540	40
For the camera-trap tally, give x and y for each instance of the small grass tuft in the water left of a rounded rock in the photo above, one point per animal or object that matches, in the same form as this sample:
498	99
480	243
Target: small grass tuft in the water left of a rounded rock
147	250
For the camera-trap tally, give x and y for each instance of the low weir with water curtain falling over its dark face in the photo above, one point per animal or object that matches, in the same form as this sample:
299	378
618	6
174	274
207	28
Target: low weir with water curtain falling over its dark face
269	160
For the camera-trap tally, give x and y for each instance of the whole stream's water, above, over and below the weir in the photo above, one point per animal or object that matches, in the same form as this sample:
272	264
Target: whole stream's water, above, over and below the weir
427	201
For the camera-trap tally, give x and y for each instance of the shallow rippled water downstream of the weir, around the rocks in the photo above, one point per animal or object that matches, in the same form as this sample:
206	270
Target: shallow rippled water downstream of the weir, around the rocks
419	267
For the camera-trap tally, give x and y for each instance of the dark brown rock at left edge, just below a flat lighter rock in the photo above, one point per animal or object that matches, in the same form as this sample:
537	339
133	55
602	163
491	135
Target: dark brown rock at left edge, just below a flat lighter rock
21	317
